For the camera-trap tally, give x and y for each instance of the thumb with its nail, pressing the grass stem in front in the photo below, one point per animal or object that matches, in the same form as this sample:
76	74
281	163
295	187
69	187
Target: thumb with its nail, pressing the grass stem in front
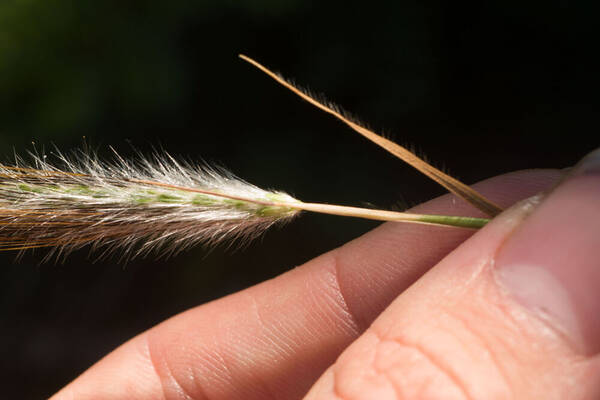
514	312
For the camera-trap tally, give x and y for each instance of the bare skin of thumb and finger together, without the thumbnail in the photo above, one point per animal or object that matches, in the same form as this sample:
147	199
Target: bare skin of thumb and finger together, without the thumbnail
403	312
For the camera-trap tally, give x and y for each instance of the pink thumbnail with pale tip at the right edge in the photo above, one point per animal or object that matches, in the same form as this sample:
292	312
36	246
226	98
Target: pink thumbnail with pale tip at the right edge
551	263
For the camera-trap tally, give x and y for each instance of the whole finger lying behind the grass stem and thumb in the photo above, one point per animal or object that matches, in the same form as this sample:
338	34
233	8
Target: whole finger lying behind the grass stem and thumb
273	340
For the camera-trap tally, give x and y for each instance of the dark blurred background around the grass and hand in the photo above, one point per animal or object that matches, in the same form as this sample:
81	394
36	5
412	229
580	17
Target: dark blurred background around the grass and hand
482	88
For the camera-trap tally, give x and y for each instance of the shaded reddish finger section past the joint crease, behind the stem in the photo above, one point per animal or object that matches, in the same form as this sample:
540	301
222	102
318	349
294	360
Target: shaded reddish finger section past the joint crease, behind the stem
377	267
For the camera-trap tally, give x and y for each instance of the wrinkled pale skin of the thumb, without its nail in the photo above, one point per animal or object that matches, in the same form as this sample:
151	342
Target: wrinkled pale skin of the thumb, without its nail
462	329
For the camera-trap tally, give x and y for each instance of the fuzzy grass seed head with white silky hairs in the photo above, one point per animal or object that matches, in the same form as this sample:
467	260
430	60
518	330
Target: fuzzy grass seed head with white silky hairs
151	204
